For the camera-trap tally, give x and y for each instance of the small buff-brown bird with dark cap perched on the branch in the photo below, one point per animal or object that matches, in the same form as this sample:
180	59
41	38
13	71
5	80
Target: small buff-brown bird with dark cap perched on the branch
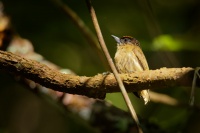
129	58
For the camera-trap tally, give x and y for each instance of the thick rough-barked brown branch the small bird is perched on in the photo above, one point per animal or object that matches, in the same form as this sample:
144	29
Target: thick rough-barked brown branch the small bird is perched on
98	85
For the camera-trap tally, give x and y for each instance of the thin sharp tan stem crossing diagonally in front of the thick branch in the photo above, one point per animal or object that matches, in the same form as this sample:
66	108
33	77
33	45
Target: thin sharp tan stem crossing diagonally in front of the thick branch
111	64
